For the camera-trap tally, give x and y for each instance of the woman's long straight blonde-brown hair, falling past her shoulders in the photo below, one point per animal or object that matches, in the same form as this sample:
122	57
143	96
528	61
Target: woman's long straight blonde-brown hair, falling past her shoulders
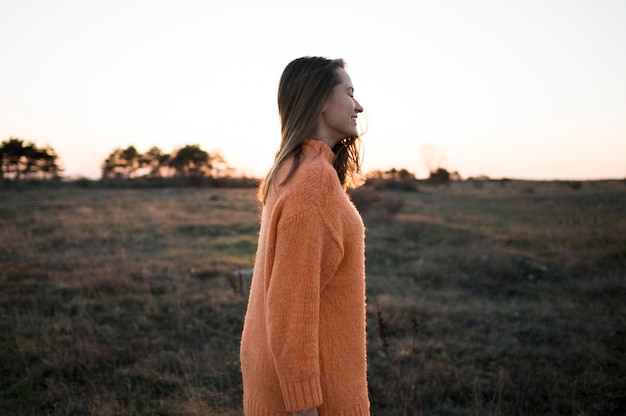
305	85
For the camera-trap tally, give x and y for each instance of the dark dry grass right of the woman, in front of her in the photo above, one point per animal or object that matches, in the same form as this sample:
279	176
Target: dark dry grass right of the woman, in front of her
519	290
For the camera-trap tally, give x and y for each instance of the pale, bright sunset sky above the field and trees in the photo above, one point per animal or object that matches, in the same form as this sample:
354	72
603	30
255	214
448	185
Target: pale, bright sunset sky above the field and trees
532	89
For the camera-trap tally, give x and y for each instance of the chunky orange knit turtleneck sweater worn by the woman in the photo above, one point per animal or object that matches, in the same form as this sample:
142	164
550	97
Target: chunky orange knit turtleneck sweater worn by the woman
303	343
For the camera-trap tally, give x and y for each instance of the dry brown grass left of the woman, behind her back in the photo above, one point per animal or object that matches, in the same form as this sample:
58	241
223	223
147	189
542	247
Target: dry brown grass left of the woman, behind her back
101	312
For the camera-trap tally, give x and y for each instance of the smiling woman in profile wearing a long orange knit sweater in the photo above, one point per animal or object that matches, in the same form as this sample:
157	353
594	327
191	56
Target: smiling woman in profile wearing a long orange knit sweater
303	342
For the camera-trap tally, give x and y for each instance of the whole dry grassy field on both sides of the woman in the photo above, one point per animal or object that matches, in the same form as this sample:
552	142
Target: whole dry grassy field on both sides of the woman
484	298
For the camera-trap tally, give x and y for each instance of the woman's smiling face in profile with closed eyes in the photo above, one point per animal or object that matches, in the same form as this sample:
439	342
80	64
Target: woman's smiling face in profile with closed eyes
339	114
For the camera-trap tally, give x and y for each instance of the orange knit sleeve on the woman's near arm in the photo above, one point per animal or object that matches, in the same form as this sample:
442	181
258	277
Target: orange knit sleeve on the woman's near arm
303	250
